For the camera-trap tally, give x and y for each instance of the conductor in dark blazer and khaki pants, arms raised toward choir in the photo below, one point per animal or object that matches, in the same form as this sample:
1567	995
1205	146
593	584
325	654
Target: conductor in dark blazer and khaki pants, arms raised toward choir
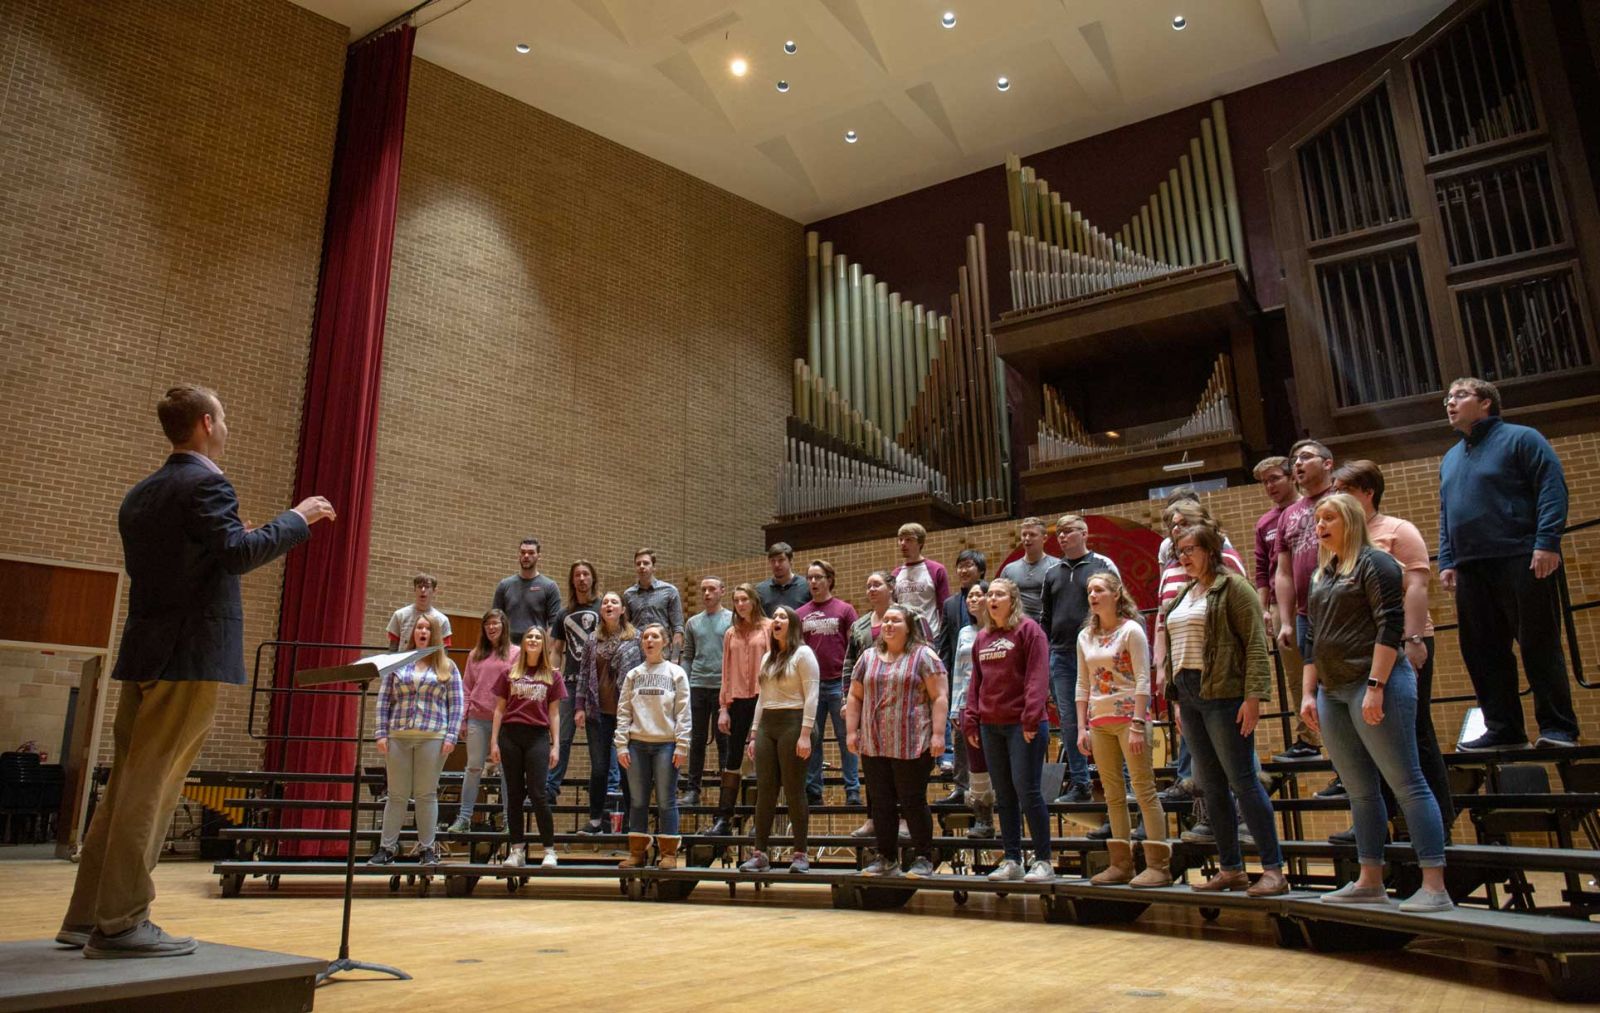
185	550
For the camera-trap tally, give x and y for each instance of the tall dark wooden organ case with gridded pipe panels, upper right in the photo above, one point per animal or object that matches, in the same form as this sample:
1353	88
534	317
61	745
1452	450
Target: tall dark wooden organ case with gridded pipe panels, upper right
1438	220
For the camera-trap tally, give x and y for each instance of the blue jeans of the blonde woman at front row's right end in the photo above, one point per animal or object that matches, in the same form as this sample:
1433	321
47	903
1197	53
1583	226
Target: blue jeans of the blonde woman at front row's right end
1361	753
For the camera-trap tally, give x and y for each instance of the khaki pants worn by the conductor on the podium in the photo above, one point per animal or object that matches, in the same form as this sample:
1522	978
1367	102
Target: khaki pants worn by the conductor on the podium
159	731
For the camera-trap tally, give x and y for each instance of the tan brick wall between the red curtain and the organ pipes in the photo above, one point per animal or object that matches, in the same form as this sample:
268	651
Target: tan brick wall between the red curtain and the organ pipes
590	346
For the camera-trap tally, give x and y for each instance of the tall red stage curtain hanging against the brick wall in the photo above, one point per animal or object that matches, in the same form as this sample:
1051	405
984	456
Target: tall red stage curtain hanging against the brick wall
326	583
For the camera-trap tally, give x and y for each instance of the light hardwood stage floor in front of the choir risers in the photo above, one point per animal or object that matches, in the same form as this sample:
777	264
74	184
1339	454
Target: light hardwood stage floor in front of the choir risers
583	947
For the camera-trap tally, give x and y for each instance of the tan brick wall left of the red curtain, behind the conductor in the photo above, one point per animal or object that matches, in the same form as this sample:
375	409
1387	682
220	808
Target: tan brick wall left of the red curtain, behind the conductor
166	172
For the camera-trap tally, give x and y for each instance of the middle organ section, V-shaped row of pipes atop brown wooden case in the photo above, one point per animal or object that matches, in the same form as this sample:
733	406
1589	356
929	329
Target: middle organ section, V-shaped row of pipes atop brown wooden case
1137	348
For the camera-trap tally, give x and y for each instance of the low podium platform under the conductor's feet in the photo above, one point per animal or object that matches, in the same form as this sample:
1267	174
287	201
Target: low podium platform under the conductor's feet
42	975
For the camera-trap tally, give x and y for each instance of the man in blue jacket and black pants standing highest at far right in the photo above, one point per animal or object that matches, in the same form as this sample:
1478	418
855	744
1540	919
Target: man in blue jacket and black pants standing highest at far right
1502	513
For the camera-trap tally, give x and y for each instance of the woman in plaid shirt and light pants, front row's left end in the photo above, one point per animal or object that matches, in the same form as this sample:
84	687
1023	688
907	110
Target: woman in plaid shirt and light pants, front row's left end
420	710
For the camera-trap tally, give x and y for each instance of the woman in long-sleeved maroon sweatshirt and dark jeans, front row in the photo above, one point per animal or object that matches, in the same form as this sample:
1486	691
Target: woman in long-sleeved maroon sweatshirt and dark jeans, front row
1006	715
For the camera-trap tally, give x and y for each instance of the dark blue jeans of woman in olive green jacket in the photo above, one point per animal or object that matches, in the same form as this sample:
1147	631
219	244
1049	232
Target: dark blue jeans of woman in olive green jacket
1226	759
